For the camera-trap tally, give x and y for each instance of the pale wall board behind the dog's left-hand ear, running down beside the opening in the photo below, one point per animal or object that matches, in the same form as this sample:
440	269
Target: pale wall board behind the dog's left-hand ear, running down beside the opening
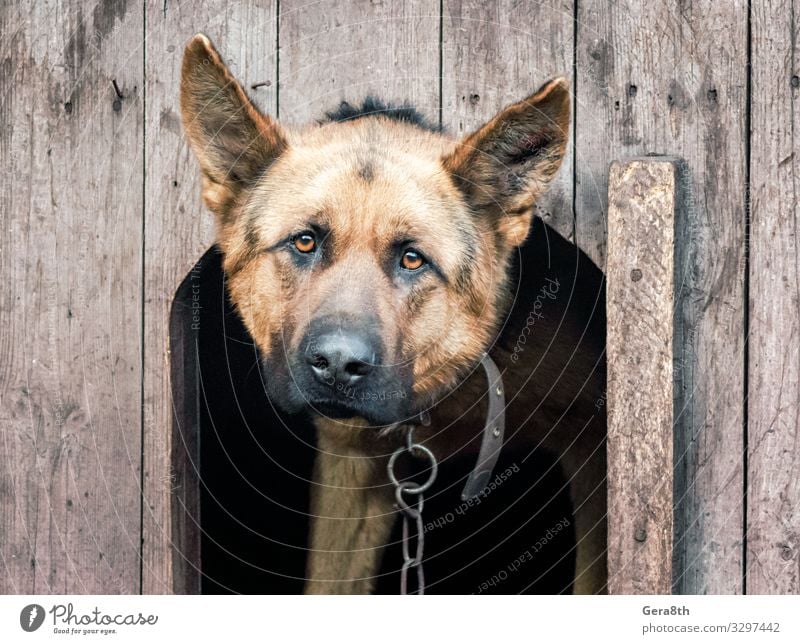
178	228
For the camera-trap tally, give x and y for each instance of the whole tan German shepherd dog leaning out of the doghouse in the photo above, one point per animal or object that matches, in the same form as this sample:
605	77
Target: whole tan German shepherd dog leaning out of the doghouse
371	259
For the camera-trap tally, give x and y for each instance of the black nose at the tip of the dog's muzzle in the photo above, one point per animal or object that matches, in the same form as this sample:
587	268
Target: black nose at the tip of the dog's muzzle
340	357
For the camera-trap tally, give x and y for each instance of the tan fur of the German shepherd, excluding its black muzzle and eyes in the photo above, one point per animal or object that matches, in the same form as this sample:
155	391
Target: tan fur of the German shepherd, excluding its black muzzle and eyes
464	201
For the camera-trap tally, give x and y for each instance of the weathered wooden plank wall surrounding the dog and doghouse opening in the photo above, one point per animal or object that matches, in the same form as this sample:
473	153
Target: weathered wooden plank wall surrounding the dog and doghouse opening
101	218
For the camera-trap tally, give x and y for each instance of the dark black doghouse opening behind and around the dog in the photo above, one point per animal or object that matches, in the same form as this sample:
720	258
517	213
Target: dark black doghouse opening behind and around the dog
242	470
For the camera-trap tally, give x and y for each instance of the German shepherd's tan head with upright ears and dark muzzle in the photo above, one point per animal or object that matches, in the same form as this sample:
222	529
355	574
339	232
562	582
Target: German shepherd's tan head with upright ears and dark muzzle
367	256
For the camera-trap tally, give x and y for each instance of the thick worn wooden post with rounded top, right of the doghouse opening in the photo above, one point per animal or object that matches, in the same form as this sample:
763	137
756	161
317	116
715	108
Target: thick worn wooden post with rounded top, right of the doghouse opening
645	238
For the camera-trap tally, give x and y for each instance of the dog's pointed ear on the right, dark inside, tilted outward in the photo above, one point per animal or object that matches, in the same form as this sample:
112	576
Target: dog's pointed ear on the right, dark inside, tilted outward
504	166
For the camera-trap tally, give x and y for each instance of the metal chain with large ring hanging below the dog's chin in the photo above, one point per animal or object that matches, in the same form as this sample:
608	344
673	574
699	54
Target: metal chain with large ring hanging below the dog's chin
412	513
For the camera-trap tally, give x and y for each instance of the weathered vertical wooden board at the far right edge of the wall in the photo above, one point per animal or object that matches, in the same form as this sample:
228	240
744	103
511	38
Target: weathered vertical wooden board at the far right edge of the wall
773	502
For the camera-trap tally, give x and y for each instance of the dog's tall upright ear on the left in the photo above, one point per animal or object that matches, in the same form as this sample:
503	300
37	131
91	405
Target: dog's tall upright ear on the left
233	141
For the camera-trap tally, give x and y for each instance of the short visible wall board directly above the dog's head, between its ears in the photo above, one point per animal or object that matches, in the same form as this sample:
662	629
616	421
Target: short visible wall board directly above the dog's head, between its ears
332	51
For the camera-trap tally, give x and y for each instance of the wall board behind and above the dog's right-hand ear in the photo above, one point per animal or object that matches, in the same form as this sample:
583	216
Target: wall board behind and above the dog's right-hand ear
495	53
